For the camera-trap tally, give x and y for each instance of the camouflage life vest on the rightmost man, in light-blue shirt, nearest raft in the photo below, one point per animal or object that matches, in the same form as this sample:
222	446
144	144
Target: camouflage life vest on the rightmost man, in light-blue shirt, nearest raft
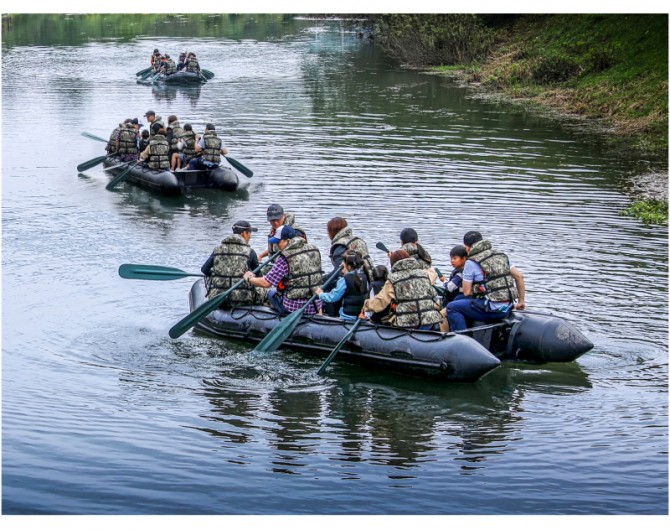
498	284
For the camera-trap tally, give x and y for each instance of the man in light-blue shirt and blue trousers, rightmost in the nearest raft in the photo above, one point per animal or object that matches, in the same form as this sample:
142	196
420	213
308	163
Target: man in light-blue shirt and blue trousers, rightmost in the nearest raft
492	287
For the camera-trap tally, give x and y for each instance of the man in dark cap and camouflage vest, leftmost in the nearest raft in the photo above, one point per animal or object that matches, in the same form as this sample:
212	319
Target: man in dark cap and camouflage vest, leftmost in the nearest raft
229	262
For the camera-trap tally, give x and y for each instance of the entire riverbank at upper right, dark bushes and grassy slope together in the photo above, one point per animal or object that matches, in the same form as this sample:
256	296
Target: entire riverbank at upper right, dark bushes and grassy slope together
610	70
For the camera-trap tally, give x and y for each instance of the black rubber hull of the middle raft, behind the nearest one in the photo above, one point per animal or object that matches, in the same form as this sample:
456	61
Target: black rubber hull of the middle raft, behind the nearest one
175	183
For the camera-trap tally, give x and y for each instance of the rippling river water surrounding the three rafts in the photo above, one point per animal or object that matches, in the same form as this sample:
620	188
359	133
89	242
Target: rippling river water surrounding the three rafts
102	413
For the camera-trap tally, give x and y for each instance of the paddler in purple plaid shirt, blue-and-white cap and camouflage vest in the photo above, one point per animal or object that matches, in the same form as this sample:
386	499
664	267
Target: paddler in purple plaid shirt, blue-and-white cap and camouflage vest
295	274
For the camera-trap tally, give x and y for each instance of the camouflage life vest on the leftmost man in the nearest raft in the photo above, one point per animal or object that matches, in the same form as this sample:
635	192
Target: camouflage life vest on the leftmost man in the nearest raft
231	261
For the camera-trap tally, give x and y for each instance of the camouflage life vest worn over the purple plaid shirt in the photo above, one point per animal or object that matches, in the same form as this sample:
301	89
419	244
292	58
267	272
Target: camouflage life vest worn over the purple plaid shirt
304	268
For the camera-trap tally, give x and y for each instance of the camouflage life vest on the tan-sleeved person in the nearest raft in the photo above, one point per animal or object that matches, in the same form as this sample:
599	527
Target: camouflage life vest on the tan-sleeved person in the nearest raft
413	294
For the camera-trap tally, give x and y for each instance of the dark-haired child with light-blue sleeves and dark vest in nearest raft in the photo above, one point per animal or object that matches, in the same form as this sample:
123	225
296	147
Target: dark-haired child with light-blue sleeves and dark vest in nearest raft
352	288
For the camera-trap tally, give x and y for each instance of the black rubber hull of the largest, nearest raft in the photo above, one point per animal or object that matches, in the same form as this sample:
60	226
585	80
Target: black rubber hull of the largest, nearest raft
463	357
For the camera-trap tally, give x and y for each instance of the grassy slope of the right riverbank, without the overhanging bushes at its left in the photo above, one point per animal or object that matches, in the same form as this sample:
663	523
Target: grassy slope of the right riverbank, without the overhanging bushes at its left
609	68
